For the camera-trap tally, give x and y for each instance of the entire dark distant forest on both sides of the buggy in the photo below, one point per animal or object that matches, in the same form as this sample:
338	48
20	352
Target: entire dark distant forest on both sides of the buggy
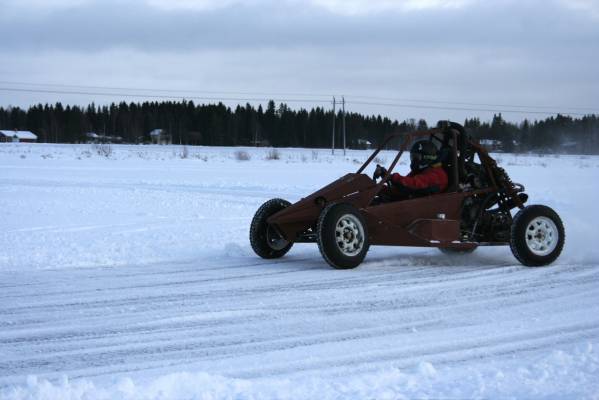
279	126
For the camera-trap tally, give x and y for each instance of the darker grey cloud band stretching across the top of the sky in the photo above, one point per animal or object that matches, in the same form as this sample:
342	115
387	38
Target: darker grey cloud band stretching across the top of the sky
110	24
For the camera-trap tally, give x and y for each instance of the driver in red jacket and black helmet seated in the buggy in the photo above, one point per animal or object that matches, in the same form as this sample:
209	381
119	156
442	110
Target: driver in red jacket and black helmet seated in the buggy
427	175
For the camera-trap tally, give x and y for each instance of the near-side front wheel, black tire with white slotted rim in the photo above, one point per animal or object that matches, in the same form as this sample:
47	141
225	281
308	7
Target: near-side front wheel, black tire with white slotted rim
337	217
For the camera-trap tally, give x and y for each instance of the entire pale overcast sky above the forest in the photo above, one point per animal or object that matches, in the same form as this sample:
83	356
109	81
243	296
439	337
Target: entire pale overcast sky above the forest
432	59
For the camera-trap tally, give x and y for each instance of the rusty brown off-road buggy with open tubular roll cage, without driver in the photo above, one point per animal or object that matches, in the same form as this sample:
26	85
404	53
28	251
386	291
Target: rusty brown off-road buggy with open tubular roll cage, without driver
347	216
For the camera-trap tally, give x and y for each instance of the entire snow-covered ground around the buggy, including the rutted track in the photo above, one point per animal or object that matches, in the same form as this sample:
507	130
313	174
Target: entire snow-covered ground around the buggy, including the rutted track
131	277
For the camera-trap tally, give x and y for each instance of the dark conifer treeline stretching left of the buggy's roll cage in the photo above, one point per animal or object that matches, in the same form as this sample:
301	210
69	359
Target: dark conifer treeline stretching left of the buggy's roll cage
188	123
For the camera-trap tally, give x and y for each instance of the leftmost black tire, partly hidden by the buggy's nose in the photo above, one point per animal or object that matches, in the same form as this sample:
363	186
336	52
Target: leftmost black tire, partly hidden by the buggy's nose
265	241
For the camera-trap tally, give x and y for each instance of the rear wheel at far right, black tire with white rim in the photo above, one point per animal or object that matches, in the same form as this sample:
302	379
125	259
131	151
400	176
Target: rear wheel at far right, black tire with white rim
533	236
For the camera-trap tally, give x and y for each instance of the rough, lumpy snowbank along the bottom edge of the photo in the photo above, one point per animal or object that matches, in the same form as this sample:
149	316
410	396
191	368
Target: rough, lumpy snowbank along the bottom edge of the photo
558	375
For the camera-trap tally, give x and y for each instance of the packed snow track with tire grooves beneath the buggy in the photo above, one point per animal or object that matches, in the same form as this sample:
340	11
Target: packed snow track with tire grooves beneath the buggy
348	320
